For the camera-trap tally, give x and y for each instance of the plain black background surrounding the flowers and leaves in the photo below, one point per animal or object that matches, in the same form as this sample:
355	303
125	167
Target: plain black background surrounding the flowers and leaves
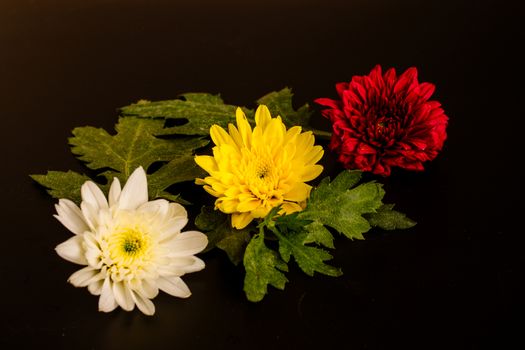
452	282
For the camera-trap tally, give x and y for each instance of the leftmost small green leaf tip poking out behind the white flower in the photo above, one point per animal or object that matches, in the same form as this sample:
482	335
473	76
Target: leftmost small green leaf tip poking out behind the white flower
61	184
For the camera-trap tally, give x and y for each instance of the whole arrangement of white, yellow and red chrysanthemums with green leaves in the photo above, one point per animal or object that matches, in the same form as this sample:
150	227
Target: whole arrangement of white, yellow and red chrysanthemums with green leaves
257	165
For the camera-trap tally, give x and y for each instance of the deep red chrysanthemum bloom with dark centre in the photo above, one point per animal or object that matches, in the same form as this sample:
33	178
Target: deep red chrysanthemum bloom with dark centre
383	121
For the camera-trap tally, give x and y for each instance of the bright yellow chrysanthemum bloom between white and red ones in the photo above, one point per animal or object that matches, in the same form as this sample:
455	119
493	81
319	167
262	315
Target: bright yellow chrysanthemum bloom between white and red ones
253	171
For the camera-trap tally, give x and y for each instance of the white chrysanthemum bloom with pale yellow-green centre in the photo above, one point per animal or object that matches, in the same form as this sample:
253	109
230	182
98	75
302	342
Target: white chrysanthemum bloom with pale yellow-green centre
132	247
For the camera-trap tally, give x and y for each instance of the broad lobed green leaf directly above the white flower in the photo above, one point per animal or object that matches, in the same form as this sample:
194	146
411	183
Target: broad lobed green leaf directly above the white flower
135	145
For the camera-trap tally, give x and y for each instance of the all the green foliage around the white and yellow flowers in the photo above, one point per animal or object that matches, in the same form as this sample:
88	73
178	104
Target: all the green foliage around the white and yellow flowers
141	139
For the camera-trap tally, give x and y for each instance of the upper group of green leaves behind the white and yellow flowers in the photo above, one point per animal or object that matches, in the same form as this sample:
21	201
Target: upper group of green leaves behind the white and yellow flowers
137	141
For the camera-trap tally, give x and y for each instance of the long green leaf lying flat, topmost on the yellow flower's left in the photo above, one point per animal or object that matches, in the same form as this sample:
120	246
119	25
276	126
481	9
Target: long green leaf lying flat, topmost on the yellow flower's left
200	110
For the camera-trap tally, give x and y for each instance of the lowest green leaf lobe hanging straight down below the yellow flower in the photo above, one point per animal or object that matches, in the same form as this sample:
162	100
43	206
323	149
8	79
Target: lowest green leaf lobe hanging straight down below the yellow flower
263	267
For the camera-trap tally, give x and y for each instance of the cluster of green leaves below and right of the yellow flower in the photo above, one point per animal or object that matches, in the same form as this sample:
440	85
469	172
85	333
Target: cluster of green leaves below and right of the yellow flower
340	204
